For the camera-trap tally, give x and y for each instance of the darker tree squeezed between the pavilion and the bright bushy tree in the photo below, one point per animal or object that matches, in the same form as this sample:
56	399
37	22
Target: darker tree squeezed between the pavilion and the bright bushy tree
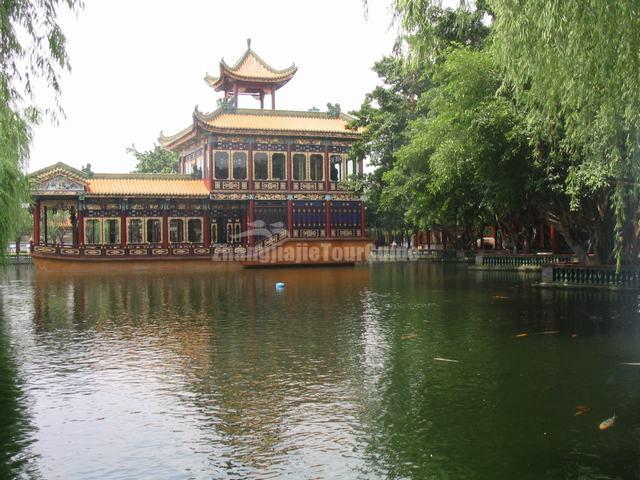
388	109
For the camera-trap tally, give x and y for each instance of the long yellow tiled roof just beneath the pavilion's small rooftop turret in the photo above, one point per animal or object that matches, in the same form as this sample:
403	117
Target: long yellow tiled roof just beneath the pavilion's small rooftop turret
279	121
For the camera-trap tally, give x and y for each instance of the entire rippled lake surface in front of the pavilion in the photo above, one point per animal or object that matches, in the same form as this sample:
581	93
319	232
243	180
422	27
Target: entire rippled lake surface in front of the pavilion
340	375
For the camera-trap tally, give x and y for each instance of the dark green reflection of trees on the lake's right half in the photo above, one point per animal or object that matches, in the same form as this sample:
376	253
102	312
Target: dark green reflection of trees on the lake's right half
507	409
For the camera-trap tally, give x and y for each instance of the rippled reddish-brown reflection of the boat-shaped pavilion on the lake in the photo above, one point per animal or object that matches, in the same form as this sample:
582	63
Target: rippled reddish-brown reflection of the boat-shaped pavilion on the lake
245	373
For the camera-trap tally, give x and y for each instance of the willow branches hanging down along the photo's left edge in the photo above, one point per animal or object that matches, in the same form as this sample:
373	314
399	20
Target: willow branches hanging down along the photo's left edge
32	47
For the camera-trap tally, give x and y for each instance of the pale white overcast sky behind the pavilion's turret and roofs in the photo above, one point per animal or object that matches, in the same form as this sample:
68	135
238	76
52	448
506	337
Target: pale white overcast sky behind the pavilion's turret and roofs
138	67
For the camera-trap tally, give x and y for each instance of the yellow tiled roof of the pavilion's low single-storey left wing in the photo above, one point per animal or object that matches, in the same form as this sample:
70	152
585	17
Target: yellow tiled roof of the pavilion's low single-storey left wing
139	185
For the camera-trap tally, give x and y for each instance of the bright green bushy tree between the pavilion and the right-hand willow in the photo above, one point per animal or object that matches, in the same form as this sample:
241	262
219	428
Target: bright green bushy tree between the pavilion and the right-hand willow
467	162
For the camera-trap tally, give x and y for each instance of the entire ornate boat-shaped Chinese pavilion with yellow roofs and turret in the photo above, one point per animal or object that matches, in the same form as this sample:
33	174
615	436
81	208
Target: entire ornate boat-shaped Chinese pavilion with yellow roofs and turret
256	186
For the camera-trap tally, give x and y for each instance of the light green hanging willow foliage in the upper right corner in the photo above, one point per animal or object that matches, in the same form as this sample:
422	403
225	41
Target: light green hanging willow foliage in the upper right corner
578	63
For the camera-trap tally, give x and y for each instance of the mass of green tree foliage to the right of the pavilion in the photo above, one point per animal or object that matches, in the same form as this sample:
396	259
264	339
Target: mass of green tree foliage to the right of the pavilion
528	111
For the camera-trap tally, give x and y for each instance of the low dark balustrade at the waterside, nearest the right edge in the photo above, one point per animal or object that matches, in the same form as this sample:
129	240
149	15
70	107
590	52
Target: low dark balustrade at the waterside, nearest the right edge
628	277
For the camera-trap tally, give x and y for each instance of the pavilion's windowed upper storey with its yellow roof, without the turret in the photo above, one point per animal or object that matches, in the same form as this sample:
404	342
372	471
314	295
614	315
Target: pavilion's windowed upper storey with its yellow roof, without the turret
268	153
